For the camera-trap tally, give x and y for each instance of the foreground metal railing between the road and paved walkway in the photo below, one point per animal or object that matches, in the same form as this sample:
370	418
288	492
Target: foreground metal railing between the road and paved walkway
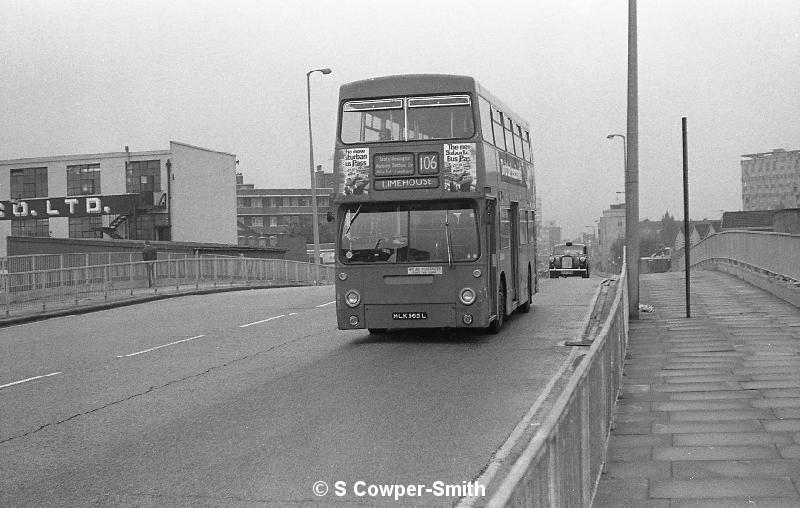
562	463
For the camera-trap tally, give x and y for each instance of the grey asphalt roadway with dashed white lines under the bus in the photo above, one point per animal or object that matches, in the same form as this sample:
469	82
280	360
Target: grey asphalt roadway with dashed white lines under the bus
251	397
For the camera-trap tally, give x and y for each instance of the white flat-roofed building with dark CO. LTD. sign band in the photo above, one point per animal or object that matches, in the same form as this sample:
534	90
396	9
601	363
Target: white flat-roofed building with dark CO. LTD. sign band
185	193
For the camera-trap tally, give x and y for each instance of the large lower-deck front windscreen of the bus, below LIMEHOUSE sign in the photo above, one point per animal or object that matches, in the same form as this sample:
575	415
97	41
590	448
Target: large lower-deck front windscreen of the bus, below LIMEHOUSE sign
409	232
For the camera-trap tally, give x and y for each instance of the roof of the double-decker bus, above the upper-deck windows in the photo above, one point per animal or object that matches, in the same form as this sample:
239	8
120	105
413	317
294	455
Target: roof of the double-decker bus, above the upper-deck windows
422	84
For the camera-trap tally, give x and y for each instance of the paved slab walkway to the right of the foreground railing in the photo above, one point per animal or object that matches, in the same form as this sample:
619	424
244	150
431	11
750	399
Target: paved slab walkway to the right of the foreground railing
710	408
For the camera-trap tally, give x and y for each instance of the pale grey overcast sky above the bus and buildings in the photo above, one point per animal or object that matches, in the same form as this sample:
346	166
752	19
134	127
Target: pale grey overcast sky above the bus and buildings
95	76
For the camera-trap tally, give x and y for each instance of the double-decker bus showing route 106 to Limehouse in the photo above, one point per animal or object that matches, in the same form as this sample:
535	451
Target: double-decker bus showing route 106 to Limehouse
434	206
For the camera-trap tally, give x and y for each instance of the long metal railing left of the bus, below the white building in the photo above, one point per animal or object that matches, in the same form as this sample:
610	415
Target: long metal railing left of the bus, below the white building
43	288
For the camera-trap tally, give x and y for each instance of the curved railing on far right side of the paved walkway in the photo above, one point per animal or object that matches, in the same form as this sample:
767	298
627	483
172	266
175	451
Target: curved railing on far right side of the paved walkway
772	254
